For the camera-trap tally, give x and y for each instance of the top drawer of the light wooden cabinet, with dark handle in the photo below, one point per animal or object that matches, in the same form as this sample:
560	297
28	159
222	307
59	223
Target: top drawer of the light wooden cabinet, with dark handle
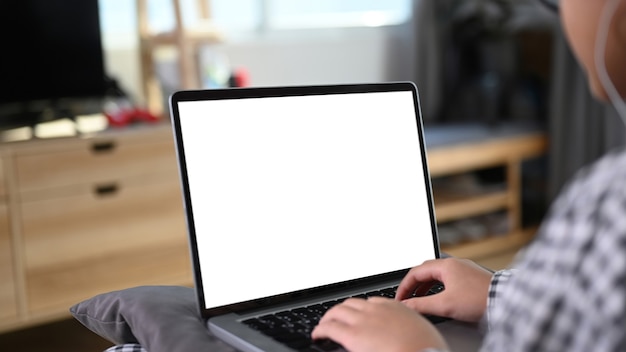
93	161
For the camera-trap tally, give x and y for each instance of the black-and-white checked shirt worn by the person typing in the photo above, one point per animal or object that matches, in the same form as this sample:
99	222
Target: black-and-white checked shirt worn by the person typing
568	291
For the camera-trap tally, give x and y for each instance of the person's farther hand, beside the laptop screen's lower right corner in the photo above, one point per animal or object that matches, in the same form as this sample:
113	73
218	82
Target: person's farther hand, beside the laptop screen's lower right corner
466	289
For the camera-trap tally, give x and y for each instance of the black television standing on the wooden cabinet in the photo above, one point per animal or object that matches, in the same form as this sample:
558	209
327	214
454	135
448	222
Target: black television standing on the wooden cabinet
52	57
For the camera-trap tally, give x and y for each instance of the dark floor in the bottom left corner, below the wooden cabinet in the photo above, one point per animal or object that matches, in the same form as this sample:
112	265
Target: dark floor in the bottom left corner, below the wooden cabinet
64	336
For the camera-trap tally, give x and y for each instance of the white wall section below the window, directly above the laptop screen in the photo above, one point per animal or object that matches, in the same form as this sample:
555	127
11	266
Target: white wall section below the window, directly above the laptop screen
324	56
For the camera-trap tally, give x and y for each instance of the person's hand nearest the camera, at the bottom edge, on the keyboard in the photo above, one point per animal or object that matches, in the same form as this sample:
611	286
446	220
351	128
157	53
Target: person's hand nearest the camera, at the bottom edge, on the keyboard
377	324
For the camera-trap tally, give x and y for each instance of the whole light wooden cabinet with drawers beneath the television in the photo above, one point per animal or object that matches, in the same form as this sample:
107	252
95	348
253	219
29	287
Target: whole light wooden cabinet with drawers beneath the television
92	215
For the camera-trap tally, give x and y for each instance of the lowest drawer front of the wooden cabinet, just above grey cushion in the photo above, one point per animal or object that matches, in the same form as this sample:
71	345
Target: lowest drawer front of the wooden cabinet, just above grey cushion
56	288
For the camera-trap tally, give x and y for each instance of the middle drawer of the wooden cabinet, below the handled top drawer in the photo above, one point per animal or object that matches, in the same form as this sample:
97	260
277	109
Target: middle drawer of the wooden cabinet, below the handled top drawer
82	227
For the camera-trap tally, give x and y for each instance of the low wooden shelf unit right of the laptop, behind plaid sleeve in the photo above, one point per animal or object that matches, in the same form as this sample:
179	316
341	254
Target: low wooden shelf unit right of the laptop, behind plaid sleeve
508	152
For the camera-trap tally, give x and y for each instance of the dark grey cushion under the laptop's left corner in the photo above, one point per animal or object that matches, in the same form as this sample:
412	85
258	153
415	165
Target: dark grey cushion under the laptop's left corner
160	318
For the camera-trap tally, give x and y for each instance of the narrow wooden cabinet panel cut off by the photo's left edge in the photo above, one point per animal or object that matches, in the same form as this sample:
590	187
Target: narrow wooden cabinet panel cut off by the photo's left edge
8	303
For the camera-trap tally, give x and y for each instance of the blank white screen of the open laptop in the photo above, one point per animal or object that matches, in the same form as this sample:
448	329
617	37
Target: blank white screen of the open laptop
297	192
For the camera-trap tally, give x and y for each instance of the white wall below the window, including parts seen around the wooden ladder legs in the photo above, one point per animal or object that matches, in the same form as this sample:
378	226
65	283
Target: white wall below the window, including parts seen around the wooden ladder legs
347	55
